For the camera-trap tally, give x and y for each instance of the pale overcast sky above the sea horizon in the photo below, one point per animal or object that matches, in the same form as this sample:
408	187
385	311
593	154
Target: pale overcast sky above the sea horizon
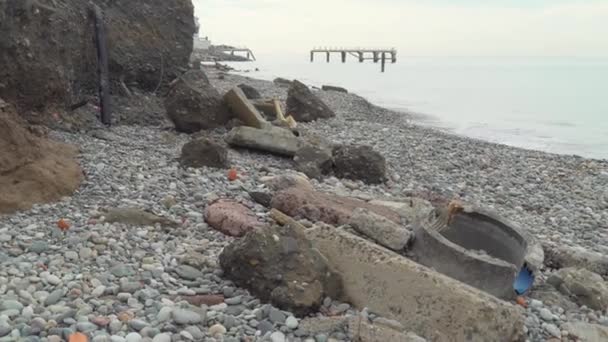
416	28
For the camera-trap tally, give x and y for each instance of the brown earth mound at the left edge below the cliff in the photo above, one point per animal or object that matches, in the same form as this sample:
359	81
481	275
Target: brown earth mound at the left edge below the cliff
33	169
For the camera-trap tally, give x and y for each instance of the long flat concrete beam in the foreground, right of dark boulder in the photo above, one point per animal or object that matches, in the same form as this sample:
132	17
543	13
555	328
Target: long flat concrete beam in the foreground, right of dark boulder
427	303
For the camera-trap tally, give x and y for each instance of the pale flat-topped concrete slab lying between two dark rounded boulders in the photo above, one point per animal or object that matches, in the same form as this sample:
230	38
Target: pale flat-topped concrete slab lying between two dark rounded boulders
273	139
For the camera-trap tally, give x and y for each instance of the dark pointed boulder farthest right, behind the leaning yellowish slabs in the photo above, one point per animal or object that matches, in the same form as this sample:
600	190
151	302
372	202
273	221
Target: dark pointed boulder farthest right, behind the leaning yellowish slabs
305	106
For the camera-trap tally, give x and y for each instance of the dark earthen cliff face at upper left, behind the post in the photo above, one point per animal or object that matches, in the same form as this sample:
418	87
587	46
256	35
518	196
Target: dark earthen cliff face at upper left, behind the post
48	58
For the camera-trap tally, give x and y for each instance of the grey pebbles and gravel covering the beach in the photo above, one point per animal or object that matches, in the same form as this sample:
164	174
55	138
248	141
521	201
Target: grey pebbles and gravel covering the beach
121	282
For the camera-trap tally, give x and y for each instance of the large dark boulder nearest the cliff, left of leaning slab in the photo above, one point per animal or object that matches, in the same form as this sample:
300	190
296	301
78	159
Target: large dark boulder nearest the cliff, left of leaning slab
193	104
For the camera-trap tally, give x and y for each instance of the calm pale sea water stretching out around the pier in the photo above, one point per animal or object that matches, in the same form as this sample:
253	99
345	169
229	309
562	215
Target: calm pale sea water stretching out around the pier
557	105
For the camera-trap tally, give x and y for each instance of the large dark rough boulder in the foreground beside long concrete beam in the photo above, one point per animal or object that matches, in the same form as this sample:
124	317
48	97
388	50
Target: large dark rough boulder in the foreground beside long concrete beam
278	264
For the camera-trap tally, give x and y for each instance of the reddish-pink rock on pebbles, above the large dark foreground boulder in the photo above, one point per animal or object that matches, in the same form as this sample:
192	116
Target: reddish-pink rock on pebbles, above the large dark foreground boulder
231	218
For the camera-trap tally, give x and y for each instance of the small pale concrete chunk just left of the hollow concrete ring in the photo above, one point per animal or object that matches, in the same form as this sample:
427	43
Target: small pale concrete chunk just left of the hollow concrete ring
380	229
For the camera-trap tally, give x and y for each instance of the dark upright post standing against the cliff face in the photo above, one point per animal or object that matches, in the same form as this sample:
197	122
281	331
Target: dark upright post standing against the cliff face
102	66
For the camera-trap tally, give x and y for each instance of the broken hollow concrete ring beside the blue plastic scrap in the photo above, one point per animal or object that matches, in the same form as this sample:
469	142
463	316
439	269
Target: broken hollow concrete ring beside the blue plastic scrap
476	247
